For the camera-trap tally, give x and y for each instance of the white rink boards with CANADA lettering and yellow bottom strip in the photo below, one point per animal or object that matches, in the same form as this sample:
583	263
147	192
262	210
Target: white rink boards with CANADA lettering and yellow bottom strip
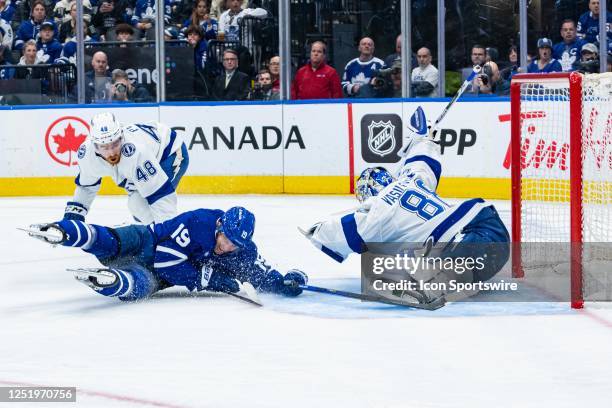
291	147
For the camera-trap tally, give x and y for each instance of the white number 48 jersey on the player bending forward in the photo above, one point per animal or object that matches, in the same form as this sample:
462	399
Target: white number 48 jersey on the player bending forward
138	171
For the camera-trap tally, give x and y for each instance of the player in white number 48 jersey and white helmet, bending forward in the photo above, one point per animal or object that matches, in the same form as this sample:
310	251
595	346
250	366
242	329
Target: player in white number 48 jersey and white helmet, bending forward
148	160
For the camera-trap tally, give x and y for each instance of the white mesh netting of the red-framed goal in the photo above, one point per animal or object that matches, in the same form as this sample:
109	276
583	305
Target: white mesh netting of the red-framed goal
545	179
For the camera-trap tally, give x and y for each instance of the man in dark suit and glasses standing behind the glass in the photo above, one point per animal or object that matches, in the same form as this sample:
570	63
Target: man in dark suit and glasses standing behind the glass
231	85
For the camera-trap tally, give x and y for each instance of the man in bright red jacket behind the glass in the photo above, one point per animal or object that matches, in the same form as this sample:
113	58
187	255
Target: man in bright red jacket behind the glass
316	79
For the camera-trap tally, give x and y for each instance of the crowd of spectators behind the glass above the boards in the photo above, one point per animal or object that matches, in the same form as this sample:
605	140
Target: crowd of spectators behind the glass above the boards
43	32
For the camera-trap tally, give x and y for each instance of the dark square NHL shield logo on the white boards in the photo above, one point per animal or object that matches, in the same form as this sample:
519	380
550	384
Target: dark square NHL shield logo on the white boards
381	138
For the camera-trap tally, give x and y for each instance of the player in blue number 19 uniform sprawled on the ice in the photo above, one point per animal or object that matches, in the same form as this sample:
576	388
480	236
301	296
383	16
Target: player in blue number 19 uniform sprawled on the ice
203	249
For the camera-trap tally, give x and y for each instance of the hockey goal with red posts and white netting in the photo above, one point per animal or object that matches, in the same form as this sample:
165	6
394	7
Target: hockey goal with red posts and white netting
562	183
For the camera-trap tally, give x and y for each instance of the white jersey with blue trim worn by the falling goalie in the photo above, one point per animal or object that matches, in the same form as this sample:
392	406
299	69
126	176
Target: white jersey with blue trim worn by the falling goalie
408	210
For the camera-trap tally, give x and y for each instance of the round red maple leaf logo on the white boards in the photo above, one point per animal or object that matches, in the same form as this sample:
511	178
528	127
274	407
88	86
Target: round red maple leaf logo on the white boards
64	137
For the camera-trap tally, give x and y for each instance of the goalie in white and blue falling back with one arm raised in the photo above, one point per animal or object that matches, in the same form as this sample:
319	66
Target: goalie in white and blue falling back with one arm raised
406	209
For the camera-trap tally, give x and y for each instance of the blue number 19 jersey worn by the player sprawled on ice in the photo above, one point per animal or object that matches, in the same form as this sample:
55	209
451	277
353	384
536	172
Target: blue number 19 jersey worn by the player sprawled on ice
184	254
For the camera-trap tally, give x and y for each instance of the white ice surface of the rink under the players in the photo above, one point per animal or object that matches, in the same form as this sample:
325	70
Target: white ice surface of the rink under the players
205	350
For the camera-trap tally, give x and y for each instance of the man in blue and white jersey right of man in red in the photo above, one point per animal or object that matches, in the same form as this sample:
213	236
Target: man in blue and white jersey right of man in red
359	71
